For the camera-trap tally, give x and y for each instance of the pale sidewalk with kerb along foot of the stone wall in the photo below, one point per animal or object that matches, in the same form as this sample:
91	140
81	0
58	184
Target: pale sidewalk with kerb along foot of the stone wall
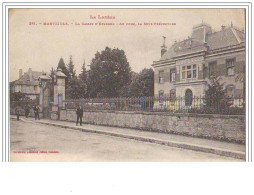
192	143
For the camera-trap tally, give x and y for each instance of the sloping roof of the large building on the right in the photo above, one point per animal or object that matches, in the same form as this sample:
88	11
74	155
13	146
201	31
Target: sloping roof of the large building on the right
221	39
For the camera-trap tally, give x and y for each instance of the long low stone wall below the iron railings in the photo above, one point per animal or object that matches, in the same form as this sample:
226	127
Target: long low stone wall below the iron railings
222	127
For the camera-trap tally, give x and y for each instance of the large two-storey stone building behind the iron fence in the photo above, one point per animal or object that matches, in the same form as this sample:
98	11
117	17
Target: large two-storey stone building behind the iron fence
185	68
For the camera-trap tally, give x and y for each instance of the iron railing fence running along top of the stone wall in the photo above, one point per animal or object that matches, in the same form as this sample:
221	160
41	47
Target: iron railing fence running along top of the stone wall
194	104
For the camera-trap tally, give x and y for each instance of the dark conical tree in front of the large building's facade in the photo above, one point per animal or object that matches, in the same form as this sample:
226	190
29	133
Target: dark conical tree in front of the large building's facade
215	96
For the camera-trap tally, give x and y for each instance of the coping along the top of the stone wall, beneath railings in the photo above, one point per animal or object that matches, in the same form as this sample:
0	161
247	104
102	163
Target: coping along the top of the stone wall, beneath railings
167	114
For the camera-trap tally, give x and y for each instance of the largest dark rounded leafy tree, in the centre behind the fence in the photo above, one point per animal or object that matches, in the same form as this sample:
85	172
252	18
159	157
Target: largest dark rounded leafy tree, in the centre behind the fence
109	72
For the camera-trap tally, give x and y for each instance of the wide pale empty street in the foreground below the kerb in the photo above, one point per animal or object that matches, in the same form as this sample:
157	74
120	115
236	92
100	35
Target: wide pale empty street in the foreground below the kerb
31	141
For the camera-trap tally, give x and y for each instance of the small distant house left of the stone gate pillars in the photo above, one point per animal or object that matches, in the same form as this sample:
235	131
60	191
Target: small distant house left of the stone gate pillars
28	84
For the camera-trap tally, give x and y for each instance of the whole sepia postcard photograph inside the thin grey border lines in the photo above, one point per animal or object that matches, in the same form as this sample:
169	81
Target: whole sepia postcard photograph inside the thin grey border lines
127	85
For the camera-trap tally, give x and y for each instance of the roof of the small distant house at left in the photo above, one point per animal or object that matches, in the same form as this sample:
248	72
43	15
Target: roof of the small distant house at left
26	79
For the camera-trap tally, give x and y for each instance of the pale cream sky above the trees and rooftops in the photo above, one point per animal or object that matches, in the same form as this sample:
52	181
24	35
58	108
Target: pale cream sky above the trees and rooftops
39	47
